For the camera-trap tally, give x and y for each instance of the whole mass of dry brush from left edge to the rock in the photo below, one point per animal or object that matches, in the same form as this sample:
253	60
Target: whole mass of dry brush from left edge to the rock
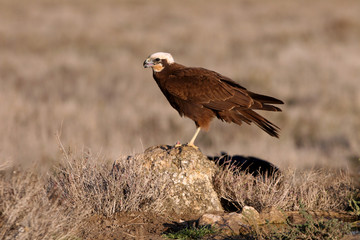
56	204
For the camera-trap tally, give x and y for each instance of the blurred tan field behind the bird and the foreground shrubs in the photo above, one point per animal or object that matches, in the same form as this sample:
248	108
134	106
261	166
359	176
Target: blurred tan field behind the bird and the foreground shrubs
74	68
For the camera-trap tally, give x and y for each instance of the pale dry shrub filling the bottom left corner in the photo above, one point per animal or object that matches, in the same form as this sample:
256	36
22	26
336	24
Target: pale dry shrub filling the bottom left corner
26	212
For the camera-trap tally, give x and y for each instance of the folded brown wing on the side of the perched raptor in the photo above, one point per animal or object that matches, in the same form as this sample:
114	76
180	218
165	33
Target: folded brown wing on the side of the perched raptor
208	88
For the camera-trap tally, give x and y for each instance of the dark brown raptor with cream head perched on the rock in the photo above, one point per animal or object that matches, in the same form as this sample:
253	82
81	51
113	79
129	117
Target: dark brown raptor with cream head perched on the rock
201	94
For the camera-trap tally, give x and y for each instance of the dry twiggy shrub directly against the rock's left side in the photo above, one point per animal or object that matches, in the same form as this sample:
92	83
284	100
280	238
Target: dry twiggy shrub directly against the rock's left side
105	188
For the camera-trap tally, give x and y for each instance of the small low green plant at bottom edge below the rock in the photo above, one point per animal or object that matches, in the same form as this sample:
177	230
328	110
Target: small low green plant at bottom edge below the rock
191	233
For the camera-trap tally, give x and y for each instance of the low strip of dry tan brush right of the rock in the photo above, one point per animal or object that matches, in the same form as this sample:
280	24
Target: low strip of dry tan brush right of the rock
289	190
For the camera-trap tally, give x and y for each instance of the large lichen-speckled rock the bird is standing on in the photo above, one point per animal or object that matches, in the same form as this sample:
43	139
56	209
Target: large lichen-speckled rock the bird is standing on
191	193
